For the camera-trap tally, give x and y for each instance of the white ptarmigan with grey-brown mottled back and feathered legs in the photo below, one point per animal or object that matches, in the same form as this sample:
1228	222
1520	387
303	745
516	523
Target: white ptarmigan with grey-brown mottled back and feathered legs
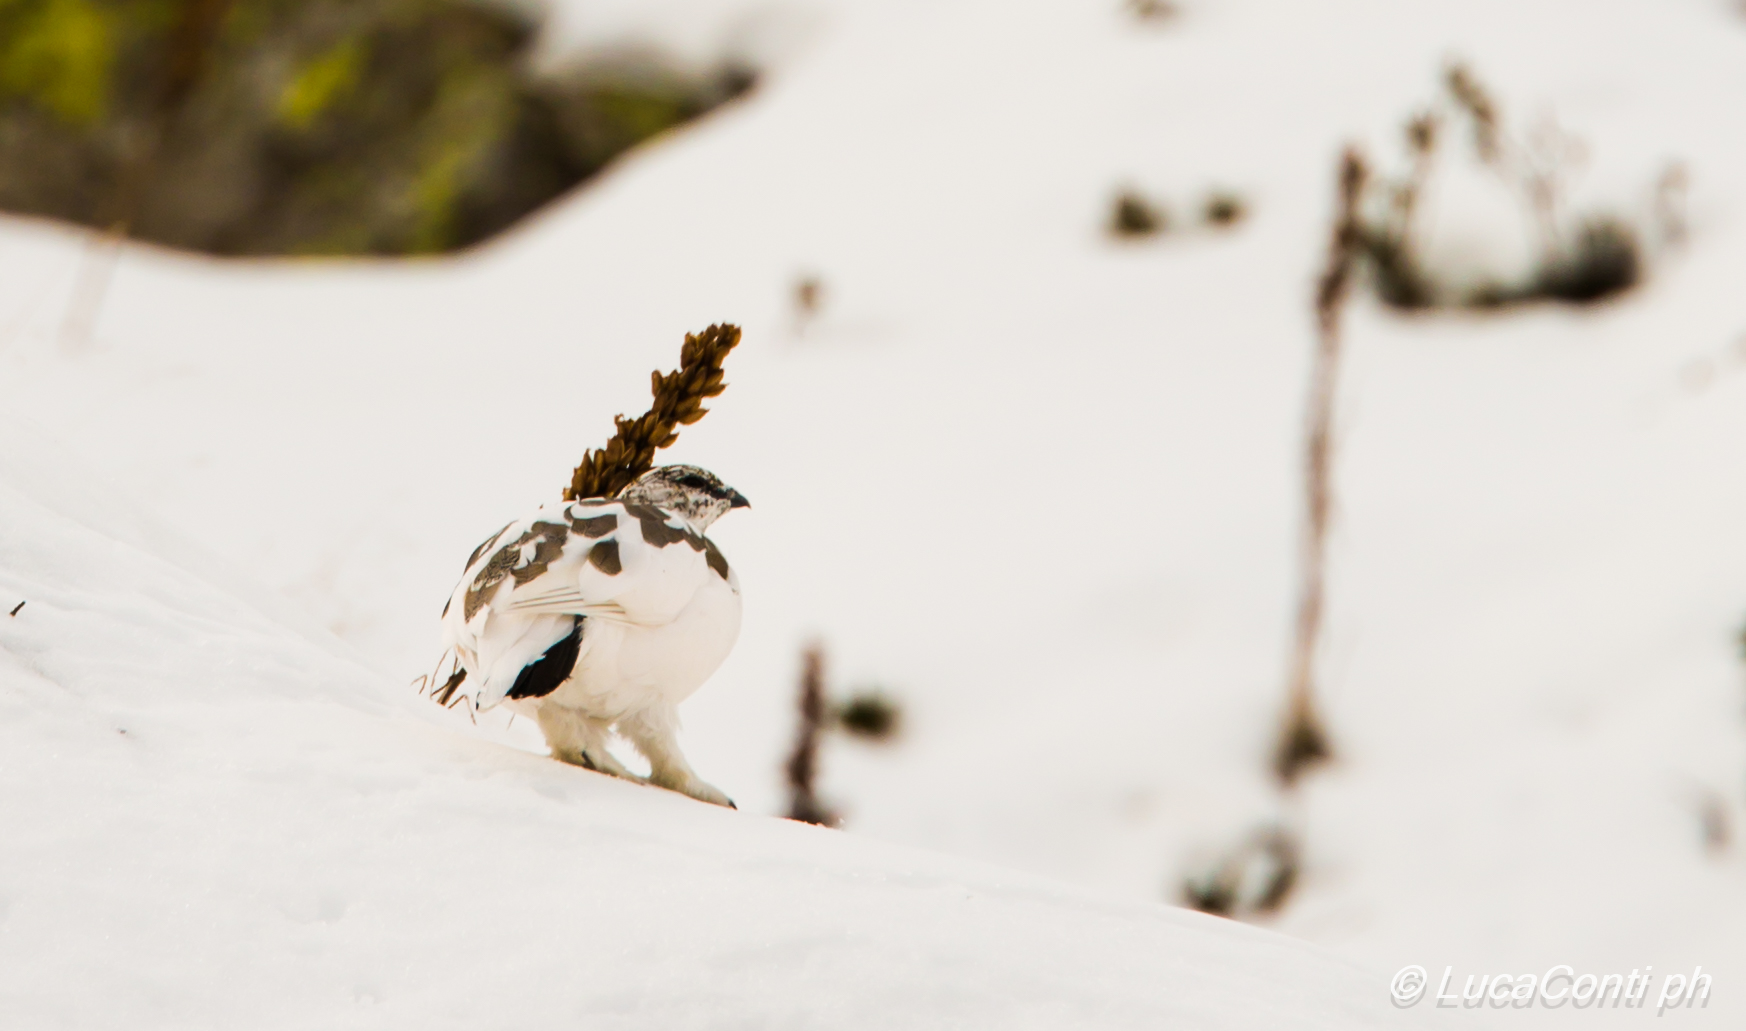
605	614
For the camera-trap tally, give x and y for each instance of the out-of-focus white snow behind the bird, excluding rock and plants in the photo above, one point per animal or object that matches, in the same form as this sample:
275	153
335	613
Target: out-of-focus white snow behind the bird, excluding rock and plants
1539	572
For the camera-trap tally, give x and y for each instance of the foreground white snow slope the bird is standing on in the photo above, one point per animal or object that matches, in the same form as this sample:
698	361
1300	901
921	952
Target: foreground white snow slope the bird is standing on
214	822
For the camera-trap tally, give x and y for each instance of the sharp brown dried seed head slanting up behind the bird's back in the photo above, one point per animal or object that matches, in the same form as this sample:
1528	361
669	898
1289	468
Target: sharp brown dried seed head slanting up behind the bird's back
678	403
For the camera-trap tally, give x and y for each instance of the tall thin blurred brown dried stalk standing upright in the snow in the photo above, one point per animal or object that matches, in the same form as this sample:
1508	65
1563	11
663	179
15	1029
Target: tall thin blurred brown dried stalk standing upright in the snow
1303	742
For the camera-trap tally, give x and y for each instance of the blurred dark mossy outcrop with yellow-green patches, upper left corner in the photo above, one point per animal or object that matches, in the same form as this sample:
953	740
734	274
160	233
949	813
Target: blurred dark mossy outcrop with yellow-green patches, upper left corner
310	127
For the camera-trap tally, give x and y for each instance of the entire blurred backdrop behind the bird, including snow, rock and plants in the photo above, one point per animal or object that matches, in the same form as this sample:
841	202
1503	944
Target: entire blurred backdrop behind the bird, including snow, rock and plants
1279	459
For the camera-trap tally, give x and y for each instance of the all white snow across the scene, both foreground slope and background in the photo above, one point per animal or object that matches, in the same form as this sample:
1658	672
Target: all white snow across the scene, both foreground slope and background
1040	487
